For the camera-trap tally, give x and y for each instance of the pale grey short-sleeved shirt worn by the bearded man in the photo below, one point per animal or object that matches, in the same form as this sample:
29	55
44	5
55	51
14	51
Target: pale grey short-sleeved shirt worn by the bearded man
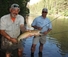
10	27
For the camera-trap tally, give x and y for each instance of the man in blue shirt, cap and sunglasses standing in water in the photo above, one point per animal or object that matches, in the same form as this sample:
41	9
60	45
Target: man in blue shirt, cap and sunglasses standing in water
44	24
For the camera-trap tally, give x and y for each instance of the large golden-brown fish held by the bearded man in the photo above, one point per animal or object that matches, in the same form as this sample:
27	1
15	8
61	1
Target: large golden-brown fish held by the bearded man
28	34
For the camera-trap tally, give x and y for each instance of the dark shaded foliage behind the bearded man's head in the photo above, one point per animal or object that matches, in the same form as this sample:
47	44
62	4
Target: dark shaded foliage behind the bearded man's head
5	5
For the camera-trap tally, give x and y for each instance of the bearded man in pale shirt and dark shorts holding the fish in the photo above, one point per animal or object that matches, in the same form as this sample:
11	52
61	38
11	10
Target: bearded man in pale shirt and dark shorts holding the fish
10	27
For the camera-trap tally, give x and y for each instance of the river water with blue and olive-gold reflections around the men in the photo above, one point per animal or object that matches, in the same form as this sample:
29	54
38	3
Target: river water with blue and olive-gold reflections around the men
56	44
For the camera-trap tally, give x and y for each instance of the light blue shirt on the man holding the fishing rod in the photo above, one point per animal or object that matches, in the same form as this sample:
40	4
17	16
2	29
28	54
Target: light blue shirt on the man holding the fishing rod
41	22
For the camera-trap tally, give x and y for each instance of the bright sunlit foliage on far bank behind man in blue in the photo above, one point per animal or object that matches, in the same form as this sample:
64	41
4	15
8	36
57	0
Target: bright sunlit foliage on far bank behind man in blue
53	6
